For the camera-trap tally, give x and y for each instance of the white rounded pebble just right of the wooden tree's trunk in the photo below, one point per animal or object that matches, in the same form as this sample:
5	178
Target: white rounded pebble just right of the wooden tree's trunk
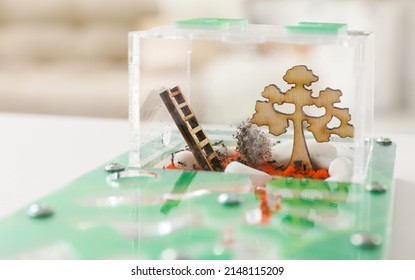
321	154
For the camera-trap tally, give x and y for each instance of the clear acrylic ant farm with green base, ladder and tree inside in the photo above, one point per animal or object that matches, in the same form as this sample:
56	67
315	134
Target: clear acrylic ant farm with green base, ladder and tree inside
246	142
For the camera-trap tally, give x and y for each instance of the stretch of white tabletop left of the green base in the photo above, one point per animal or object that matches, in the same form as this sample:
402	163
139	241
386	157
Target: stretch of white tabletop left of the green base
40	154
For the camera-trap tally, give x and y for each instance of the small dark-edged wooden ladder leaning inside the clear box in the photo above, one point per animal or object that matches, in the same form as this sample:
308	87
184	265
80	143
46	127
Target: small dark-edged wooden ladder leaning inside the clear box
191	130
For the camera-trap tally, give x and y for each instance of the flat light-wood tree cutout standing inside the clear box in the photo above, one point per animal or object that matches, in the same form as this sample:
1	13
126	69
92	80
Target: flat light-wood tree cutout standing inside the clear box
301	77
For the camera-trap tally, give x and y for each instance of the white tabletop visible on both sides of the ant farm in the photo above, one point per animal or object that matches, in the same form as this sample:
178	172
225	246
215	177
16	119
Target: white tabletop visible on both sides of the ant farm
40	154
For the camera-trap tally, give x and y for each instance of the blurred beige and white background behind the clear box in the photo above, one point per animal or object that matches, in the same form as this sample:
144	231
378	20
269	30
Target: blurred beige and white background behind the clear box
69	57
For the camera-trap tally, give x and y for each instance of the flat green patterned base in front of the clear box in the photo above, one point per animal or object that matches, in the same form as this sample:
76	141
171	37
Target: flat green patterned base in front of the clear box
172	214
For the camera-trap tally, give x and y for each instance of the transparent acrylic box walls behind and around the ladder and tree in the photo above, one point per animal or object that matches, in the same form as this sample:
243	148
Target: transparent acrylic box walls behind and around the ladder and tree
223	66
